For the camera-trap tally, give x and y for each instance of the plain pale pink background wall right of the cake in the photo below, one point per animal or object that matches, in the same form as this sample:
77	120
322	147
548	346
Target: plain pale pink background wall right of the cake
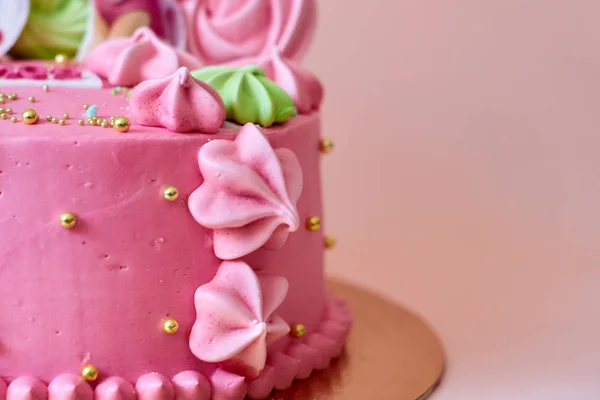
466	180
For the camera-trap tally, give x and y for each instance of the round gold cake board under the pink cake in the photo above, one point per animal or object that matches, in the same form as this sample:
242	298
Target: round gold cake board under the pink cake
391	354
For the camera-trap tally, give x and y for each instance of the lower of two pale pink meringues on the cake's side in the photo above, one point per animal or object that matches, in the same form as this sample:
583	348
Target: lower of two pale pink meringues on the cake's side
236	320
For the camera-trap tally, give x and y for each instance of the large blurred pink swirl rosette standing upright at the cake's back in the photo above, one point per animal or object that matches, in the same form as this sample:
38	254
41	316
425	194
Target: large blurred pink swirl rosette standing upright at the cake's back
225	30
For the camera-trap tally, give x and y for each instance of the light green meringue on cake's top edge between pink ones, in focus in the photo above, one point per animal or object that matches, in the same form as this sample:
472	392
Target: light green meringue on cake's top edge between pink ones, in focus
249	96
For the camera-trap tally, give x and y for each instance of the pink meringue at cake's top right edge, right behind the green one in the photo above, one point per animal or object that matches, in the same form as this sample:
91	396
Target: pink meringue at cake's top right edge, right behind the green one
303	87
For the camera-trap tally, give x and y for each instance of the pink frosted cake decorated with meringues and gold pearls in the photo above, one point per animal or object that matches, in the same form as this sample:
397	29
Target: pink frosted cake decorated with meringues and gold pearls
148	247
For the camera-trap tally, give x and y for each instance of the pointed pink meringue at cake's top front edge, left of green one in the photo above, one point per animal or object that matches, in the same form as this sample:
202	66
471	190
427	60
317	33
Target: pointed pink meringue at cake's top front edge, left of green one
179	103
